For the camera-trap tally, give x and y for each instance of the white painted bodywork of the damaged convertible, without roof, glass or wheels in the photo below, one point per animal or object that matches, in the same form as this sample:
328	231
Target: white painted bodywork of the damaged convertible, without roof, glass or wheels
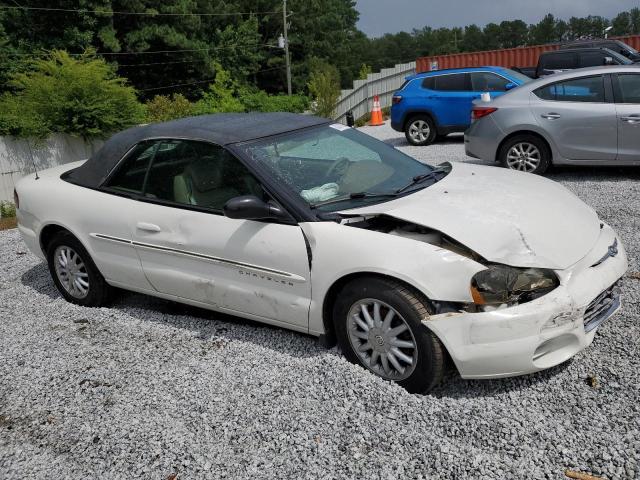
262	271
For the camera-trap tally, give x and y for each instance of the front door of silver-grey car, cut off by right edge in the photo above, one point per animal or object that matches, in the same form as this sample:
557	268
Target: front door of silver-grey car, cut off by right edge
627	95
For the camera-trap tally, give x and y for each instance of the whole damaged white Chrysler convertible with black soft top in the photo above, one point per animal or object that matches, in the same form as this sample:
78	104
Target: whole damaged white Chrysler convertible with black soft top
293	221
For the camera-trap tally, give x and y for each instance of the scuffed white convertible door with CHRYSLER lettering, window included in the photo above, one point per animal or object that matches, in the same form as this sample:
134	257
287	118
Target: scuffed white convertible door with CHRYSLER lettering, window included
190	250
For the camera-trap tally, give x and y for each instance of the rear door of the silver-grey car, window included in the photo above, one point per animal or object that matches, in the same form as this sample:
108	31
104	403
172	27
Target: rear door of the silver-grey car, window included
580	117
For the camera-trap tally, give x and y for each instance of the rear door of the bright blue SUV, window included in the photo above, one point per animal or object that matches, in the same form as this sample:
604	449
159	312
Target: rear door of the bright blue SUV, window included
452	99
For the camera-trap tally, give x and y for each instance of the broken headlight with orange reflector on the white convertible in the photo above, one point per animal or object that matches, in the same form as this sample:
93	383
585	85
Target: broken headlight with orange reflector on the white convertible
501	284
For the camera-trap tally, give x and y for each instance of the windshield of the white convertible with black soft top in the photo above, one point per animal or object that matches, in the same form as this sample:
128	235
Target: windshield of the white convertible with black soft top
333	167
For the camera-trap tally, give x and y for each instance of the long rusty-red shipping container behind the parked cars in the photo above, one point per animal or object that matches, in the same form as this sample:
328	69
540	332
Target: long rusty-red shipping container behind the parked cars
510	57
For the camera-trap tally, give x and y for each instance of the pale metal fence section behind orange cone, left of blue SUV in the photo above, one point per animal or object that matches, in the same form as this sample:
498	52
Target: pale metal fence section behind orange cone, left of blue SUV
383	84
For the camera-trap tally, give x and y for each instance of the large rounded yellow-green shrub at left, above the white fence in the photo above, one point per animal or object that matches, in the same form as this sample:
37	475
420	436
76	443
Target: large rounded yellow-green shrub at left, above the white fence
82	97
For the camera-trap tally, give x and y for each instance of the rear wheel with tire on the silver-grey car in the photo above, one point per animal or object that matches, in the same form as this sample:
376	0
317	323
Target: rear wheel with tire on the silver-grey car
525	153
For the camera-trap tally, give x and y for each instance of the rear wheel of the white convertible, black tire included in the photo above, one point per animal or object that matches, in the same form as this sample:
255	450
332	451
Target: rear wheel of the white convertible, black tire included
62	246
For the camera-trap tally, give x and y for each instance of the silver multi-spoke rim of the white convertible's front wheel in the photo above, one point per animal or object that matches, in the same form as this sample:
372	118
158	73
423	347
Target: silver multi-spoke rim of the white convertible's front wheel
382	339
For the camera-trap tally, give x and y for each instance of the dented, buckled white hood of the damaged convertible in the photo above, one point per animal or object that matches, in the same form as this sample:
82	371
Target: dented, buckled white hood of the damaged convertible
514	218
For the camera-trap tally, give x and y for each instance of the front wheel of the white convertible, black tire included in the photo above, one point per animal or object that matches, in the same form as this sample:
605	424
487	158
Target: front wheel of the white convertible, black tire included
410	308
